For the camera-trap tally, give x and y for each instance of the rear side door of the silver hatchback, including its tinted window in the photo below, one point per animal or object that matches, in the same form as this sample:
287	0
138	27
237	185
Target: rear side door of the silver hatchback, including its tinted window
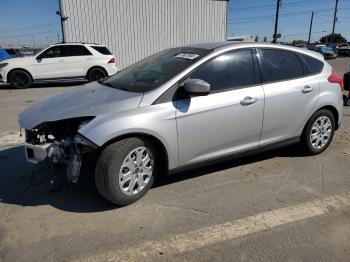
290	95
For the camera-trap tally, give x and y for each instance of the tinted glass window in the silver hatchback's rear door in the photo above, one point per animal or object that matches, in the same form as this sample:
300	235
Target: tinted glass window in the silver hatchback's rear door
279	65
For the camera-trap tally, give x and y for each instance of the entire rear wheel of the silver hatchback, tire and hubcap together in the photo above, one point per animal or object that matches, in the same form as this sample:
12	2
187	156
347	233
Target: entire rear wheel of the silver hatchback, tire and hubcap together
321	137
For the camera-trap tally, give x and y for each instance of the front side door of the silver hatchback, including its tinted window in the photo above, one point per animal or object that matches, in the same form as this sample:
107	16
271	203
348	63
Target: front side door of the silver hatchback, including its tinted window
229	118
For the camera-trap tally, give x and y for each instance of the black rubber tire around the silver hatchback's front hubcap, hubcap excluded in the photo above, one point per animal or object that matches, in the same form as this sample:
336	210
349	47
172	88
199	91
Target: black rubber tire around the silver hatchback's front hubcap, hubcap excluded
119	151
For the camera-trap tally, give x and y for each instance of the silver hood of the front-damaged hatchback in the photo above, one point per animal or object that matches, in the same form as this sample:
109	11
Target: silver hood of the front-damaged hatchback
92	99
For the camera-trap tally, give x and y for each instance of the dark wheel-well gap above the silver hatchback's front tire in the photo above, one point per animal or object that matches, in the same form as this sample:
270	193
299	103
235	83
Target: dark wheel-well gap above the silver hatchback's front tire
162	152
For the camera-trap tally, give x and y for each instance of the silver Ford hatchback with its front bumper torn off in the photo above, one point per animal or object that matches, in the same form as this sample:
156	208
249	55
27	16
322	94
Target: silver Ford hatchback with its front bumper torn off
186	107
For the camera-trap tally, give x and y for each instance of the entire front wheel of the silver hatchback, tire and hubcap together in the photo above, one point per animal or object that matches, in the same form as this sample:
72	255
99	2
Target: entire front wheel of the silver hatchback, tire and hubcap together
117	170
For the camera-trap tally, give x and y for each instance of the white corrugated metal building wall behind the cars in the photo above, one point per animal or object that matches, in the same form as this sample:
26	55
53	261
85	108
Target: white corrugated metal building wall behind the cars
134	29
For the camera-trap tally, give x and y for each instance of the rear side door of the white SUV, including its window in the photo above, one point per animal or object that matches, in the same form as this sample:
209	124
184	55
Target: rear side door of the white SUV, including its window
78	61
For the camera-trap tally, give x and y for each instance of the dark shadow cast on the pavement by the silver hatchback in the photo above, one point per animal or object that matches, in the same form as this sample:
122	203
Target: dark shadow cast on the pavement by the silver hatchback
24	184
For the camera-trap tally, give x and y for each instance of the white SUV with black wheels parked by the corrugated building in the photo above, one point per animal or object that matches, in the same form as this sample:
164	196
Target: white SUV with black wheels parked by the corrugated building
59	62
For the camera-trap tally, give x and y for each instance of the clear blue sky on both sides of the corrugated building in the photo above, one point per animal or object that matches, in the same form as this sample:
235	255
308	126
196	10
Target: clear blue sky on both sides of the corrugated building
21	19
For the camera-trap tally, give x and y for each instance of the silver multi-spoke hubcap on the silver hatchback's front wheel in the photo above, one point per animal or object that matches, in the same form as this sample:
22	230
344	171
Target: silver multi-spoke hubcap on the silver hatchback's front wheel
136	171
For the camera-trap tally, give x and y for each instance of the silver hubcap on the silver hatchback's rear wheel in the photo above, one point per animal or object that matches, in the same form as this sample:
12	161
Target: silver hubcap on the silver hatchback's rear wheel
321	132
